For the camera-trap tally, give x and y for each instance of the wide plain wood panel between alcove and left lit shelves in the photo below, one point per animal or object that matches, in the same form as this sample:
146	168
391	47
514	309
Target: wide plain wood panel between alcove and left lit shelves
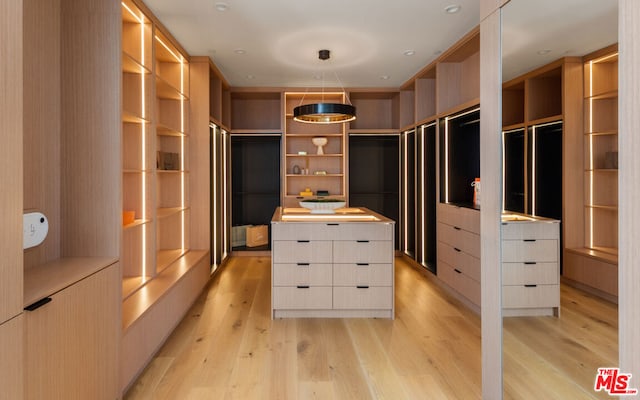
91	126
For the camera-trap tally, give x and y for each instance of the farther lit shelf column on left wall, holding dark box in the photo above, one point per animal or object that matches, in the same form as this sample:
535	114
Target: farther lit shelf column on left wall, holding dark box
172	191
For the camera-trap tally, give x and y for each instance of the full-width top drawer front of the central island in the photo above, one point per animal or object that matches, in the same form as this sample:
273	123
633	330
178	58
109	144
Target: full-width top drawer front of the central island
332	231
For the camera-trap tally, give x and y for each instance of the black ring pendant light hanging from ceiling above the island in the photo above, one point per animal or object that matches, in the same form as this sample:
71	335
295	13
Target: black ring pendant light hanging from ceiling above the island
325	113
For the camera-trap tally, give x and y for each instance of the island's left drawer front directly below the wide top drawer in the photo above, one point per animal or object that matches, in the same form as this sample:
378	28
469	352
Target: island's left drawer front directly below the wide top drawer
292	252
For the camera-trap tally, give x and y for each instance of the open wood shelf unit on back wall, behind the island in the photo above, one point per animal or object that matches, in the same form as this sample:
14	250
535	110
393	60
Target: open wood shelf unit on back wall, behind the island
325	171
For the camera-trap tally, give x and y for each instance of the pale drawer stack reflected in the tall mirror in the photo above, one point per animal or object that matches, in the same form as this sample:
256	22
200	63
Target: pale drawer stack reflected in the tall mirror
530	267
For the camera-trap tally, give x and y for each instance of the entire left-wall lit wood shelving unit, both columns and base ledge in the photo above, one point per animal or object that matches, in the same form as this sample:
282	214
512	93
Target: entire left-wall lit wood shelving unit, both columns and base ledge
165	257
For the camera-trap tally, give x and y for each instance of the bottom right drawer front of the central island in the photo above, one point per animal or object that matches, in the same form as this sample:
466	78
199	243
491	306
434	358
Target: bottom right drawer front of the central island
371	298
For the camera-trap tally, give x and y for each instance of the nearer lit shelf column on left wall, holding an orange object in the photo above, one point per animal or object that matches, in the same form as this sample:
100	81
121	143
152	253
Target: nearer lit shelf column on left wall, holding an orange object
137	166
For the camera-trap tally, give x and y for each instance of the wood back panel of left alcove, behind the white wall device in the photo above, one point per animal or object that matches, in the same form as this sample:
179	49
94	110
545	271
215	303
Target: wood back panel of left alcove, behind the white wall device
42	122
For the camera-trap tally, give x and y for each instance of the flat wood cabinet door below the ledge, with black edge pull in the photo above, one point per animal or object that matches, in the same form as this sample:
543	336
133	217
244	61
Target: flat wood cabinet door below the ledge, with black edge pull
71	343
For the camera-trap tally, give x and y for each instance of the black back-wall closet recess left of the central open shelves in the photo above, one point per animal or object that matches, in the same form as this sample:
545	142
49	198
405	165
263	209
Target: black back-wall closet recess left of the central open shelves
255	179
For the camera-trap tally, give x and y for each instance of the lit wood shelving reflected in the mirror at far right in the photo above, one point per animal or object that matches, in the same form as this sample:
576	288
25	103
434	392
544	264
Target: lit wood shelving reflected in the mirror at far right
593	262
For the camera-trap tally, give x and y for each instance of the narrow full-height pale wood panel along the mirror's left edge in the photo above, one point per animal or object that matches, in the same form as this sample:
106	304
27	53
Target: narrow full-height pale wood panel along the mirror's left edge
491	167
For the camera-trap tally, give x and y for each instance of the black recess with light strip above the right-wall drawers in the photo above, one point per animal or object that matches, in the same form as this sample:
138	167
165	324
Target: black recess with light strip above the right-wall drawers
460	160
